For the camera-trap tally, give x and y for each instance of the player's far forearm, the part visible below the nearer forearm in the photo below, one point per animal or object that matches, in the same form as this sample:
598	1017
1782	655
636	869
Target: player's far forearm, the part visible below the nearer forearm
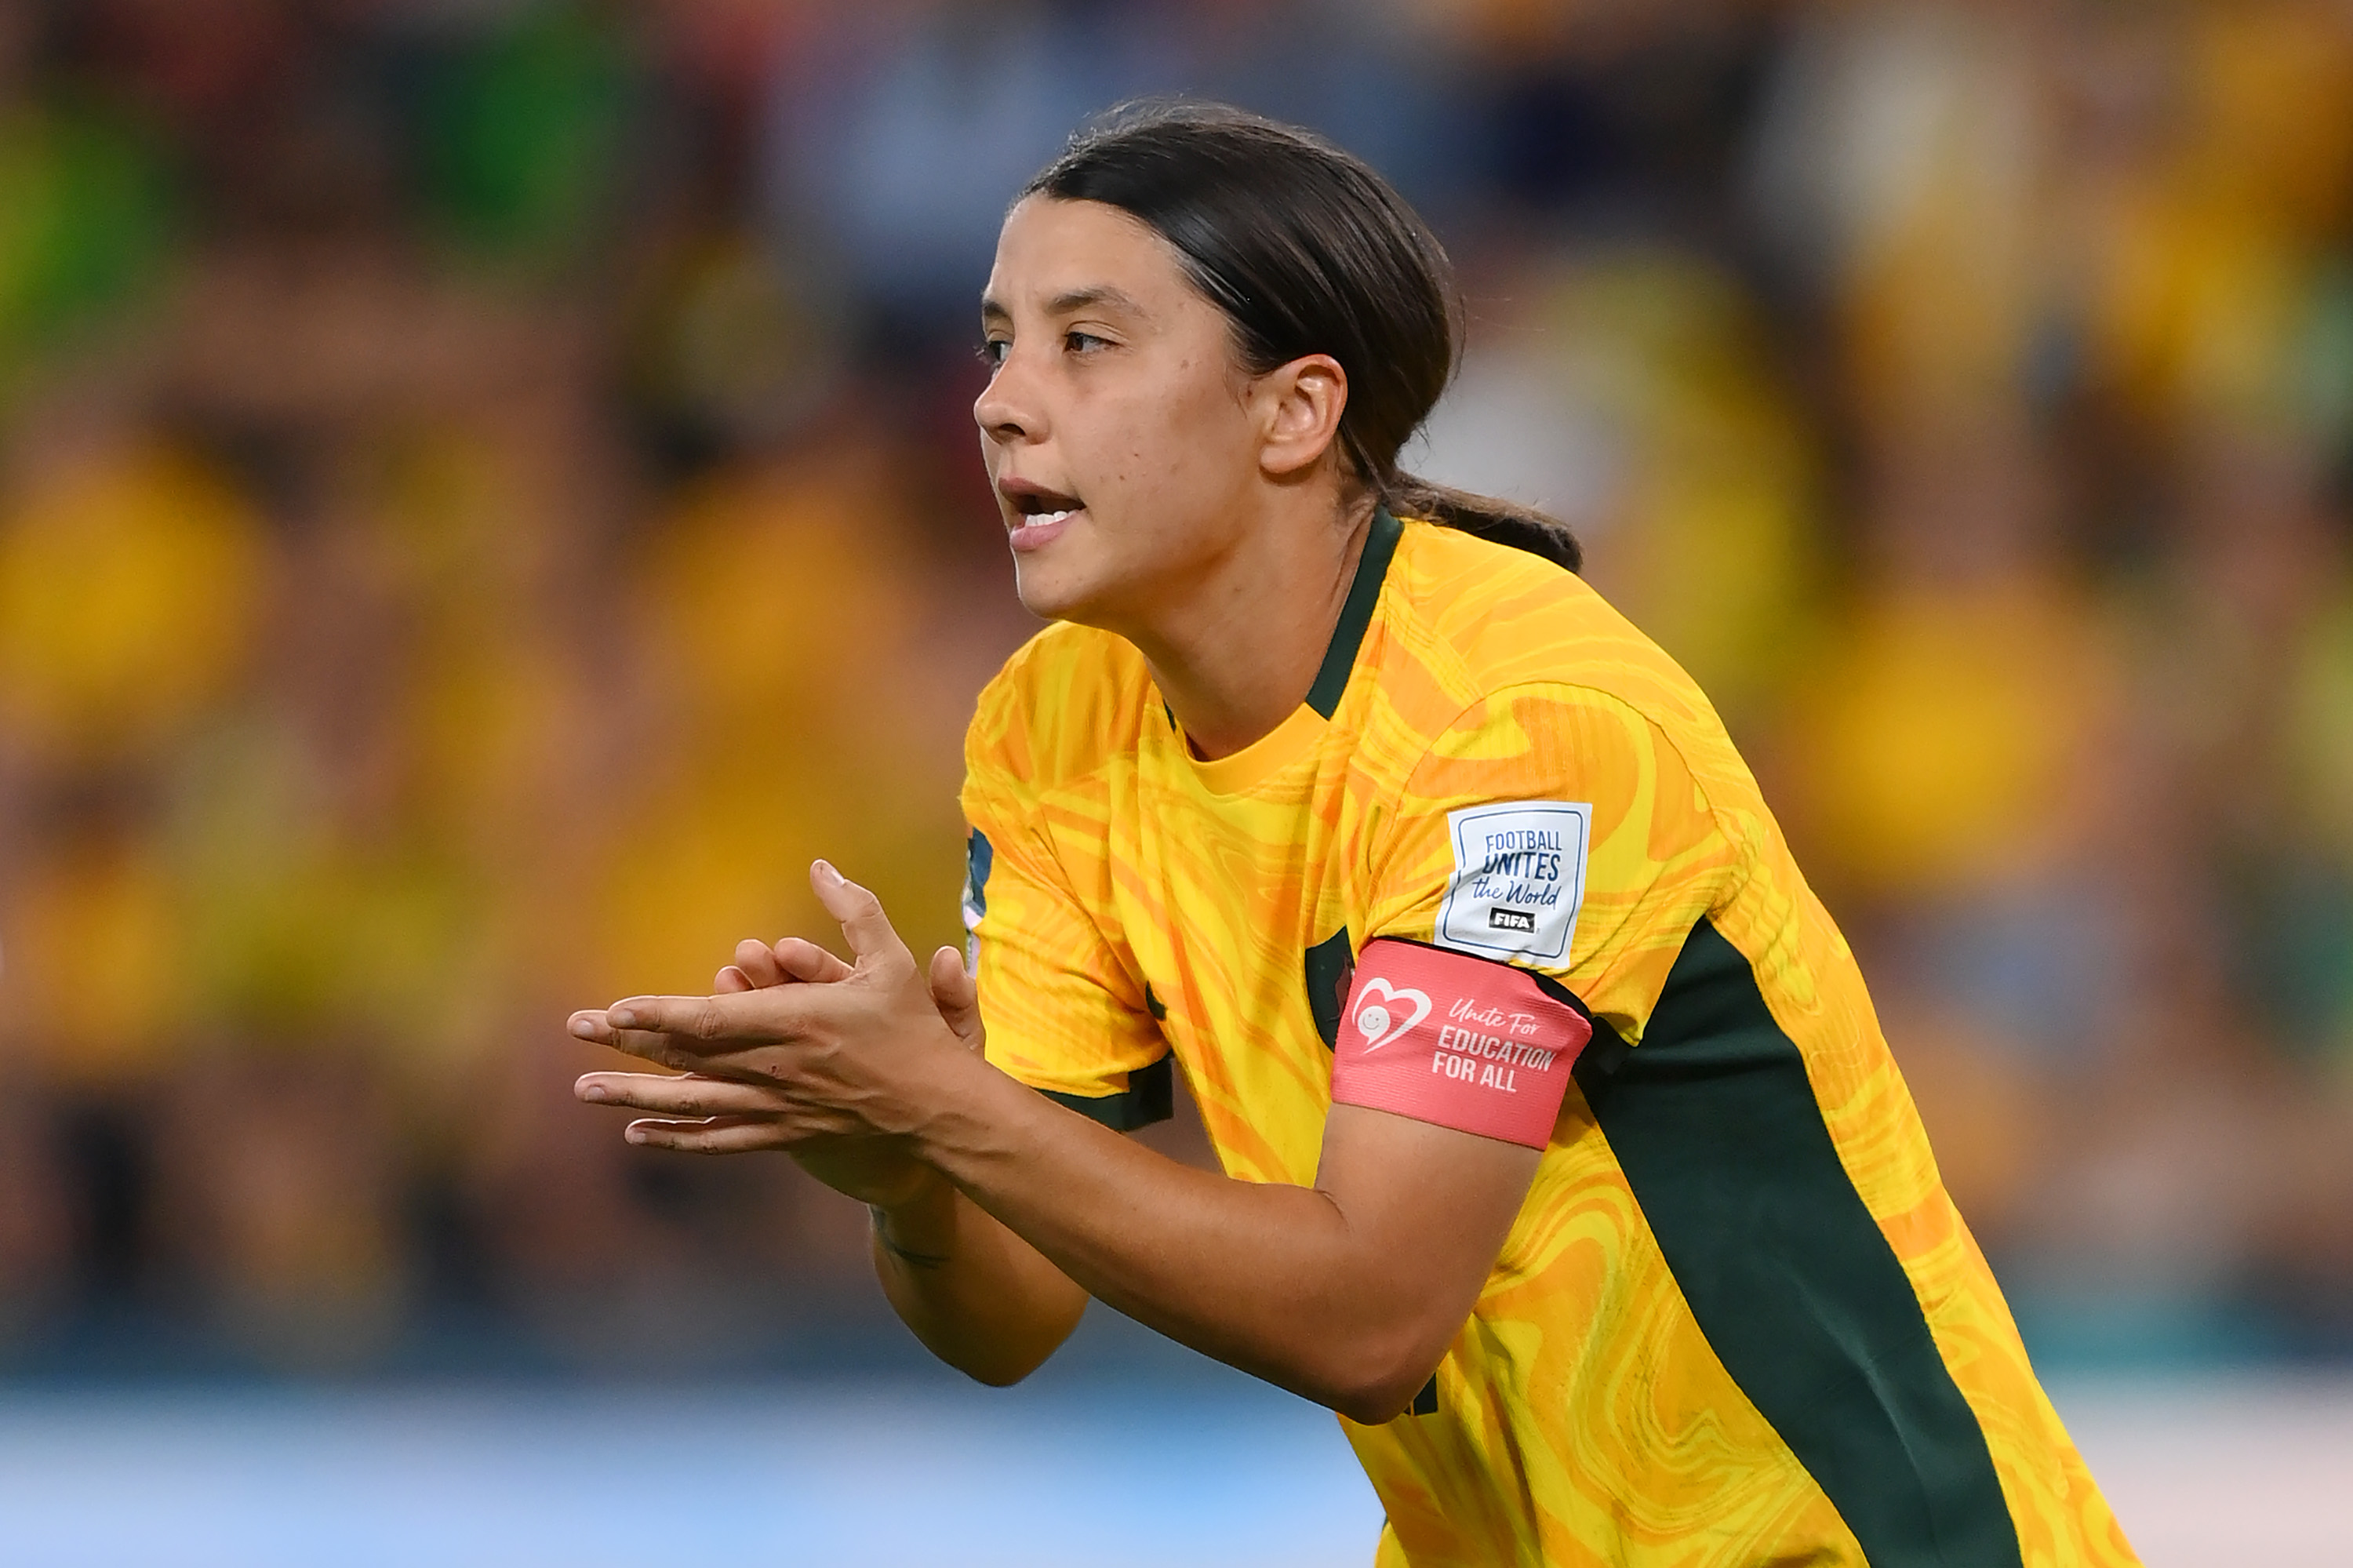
975	1294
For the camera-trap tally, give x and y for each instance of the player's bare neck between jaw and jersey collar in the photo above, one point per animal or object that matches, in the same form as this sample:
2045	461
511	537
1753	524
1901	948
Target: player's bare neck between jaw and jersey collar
1241	653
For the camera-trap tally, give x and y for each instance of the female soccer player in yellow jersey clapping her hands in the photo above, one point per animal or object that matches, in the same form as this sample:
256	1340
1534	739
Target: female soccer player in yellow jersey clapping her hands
1561	1150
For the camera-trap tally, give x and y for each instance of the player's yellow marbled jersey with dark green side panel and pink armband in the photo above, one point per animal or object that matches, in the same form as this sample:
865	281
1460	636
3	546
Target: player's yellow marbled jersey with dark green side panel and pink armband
1738	1317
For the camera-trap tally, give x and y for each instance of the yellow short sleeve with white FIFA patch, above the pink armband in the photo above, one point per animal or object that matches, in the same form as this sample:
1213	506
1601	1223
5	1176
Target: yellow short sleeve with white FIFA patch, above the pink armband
1557	830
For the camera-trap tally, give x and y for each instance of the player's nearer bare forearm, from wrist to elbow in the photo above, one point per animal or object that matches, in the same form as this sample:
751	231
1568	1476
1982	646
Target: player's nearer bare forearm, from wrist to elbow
1265	1277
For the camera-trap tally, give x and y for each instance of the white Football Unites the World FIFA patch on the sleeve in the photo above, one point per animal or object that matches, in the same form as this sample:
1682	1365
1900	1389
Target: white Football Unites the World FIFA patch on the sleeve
1519	879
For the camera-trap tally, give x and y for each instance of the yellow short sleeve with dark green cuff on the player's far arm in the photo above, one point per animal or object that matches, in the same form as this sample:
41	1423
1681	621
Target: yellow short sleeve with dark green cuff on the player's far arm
1062	1011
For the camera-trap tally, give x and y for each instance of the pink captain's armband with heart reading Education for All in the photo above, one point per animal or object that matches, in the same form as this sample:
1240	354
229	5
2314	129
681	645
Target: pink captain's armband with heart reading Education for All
1458	1042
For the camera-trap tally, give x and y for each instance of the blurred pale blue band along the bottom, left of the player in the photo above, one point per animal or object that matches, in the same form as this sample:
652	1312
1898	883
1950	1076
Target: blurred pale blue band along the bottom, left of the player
1126	1454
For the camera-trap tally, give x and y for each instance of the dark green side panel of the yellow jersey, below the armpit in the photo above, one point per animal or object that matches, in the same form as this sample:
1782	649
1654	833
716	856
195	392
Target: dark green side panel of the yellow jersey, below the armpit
1787	1273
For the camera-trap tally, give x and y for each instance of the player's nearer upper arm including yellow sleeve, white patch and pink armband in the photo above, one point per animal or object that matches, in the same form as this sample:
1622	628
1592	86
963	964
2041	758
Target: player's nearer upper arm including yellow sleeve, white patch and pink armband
1545	849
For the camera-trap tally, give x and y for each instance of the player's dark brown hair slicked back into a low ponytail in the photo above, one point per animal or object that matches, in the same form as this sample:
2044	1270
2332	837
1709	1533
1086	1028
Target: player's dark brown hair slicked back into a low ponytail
1307	251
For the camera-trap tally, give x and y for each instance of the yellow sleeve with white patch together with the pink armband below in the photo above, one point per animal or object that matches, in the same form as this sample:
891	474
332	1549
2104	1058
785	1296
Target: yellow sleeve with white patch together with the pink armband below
1545	865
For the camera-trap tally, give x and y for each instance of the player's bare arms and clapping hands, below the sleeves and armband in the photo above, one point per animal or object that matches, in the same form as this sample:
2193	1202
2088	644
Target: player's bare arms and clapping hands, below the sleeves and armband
1345	1291
